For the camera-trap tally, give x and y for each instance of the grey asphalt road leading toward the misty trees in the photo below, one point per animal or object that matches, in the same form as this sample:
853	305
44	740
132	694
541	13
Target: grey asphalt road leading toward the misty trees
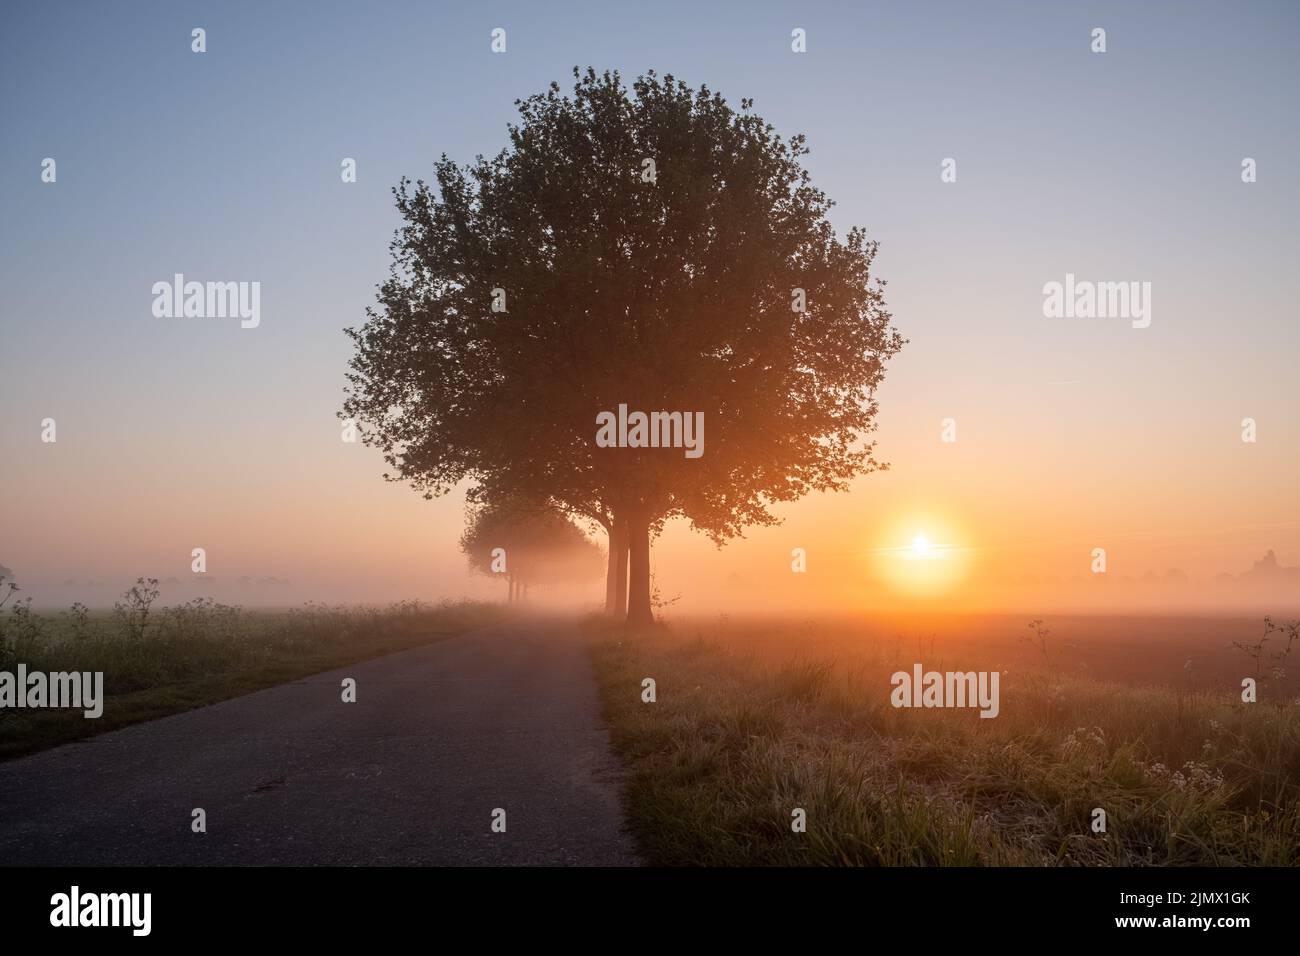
410	775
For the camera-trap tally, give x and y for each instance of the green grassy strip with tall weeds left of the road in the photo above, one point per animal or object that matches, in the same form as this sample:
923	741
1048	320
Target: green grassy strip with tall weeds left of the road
159	661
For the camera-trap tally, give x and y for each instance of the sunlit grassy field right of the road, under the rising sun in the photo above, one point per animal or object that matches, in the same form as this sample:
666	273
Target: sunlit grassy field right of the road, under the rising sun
756	721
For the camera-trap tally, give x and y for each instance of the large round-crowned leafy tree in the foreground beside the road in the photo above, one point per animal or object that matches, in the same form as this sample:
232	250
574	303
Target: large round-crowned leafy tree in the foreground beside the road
651	248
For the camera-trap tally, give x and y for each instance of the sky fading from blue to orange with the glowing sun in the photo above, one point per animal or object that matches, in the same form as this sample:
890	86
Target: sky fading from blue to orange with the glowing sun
1072	434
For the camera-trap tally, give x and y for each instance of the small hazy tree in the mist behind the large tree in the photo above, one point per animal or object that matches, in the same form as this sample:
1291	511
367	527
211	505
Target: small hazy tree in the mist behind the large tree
528	544
